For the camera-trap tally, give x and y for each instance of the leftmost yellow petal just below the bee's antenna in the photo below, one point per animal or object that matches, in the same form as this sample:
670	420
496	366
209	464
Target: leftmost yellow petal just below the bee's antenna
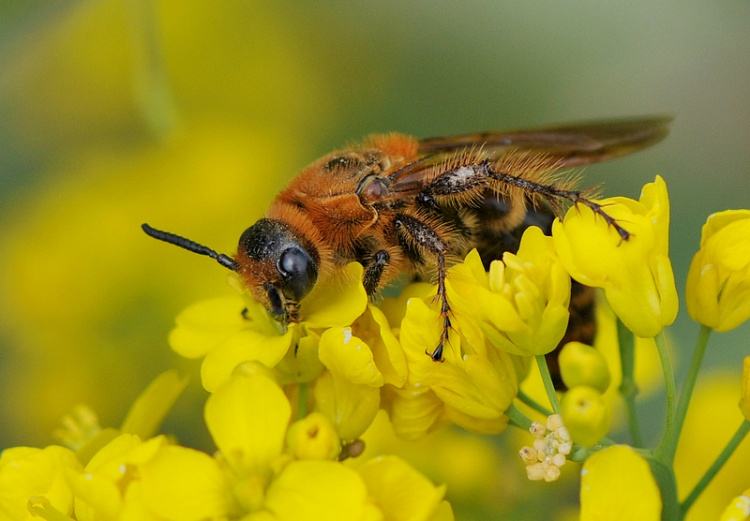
206	324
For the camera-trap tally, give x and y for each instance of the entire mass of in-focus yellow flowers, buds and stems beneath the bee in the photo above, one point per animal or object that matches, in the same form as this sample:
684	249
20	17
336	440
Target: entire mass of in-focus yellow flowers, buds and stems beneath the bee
289	405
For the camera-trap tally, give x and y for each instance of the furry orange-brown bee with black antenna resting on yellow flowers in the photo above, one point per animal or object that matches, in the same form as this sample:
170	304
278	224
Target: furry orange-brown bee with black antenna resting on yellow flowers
403	206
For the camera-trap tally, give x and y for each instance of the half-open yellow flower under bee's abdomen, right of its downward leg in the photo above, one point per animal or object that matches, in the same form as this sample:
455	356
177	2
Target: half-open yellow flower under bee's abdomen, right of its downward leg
522	303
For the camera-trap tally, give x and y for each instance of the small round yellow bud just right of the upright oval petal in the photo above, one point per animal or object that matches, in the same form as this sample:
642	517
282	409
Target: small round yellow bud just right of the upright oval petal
313	437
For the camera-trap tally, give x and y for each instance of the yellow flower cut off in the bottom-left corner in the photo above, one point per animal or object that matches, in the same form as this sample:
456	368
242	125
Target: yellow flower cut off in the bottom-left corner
27	473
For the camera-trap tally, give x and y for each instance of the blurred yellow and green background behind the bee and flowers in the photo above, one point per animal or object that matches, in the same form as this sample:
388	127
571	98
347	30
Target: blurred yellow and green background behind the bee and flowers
191	115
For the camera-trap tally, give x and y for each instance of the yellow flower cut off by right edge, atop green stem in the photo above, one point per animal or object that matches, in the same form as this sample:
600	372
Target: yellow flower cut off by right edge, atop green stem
718	283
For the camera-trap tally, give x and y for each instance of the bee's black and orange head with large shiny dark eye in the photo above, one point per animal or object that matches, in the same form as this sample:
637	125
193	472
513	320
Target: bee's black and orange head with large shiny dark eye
277	266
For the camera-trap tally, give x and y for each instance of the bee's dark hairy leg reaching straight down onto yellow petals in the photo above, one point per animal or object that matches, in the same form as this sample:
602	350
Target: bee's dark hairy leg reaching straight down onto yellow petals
424	237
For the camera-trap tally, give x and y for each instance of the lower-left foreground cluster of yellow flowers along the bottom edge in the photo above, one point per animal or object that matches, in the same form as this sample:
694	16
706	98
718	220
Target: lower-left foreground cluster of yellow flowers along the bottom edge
265	469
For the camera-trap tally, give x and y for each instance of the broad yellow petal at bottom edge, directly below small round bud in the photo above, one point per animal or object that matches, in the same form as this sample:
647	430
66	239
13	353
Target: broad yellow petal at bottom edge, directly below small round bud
316	490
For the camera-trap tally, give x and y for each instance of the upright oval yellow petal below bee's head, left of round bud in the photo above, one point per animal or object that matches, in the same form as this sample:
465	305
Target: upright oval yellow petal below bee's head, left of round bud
247	417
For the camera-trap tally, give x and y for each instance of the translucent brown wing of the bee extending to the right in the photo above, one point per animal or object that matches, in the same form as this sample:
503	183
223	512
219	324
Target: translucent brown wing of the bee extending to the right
564	146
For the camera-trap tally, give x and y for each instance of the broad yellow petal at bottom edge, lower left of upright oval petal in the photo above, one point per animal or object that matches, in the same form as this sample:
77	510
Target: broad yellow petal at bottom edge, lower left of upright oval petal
181	483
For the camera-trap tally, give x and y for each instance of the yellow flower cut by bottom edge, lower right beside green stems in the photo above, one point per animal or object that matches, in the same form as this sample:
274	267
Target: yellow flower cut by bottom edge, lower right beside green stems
616	483
